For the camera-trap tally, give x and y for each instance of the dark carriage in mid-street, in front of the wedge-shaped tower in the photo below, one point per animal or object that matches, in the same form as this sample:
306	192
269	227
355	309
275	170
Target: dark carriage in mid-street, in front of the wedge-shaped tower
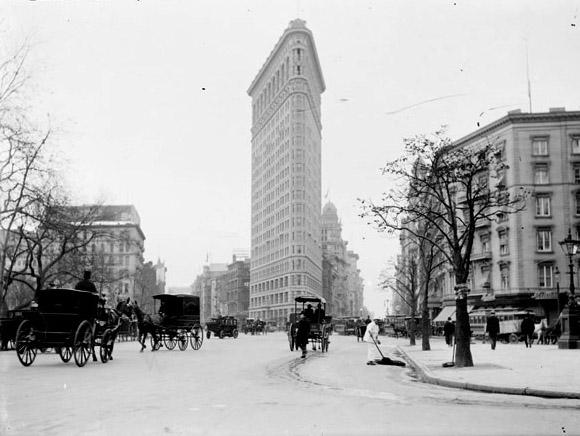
320	327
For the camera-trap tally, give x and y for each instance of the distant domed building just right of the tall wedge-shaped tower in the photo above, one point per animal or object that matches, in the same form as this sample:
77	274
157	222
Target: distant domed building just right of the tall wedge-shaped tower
342	284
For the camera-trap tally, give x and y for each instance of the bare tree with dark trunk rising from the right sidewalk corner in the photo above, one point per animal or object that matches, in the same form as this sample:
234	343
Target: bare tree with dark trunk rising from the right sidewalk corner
452	189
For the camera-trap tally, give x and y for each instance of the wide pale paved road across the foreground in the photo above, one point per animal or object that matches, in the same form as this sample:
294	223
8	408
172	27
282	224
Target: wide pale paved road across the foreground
251	386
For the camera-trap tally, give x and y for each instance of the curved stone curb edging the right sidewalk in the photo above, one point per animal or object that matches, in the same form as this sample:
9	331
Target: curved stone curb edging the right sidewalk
426	376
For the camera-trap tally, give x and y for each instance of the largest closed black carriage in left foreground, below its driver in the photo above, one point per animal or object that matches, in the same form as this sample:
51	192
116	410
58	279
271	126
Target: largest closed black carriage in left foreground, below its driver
66	320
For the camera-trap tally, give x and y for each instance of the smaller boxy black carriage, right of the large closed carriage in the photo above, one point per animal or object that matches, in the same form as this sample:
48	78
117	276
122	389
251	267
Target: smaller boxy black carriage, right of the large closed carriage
178	323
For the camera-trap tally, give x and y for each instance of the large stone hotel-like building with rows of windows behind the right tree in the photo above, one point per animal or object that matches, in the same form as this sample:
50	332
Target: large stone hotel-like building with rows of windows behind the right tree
516	257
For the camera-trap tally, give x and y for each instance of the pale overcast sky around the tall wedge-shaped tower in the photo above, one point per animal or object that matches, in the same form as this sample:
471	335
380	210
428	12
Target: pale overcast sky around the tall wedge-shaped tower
148	100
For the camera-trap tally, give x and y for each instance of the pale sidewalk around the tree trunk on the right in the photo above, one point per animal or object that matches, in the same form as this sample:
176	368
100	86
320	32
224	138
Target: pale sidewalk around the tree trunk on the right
542	370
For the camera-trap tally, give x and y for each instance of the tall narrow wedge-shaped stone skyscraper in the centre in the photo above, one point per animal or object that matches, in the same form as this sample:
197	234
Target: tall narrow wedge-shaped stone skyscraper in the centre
286	258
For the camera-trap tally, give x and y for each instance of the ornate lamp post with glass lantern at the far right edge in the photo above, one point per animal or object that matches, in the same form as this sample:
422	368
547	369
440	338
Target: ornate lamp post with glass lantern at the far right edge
570	320
